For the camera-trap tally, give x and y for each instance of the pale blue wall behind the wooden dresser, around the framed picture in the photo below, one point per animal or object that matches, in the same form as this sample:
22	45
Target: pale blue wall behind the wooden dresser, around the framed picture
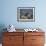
8	13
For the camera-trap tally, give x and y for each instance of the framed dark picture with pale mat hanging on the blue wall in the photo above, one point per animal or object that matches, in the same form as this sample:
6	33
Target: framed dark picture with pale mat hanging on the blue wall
26	14
